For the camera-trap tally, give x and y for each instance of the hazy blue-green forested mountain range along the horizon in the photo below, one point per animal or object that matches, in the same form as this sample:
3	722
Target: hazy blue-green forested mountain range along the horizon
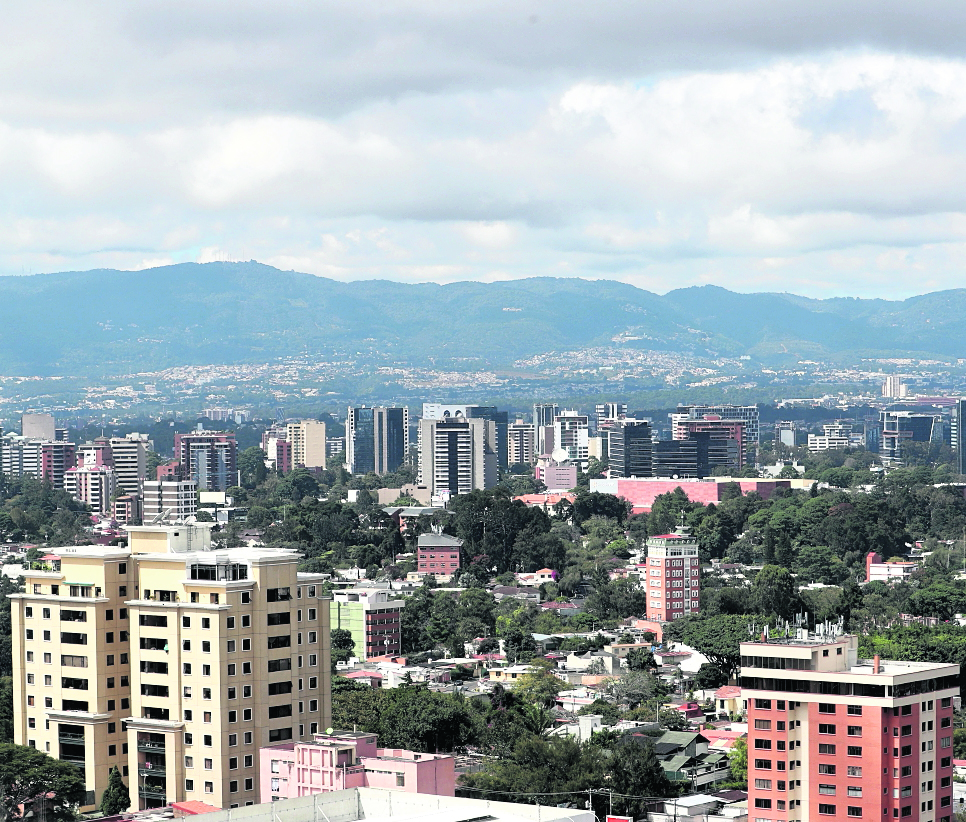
107	321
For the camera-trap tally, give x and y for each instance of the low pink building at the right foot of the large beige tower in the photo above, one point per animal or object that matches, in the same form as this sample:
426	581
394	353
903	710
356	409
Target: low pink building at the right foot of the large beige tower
350	759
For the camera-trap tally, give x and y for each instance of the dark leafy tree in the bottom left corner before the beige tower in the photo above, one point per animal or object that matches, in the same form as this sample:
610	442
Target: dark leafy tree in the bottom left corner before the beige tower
28	775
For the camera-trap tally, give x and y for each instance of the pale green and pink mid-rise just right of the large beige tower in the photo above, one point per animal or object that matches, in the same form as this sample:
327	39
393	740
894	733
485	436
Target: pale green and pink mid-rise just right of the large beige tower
373	618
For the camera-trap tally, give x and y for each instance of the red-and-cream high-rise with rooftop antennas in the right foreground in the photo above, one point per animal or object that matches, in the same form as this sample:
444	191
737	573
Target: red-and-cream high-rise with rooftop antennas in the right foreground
831	736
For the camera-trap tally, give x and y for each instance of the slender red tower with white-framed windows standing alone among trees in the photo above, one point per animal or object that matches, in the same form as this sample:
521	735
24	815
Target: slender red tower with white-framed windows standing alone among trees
673	575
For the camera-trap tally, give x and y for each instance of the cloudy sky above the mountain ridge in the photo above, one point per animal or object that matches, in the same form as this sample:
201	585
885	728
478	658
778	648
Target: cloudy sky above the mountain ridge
812	147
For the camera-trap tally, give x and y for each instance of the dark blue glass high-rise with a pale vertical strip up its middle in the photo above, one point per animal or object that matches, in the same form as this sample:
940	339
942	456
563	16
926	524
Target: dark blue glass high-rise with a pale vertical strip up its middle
377	439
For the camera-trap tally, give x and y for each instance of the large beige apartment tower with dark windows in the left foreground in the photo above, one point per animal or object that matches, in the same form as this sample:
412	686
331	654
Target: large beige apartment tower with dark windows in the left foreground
172	660
